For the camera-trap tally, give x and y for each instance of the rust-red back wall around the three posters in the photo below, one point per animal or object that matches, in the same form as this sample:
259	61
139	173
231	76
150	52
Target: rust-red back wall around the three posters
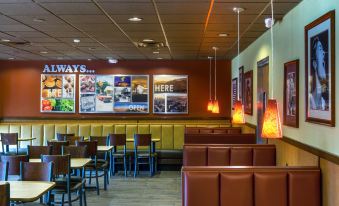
20	86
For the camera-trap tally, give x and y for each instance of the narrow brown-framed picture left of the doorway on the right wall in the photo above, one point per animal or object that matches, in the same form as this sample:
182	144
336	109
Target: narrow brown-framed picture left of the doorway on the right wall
248	92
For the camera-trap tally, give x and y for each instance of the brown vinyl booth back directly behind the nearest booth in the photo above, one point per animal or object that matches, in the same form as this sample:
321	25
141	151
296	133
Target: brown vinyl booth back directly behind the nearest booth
229	155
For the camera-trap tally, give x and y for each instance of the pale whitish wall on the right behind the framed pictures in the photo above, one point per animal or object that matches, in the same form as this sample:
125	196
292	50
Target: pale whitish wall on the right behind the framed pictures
289	45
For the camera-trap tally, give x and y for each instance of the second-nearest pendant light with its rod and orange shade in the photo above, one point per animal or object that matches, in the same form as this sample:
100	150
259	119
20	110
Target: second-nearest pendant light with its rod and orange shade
238	114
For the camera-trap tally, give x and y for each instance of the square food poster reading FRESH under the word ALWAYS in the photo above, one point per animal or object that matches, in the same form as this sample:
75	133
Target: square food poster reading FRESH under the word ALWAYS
57	93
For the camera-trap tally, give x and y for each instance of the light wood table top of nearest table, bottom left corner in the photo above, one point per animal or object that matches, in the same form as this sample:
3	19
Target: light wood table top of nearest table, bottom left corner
28	191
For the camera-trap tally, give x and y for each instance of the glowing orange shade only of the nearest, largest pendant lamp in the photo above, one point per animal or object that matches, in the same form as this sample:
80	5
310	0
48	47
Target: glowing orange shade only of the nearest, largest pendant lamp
272	125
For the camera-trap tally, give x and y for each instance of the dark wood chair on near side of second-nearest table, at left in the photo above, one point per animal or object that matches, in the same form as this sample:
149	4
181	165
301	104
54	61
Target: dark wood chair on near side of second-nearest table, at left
63	180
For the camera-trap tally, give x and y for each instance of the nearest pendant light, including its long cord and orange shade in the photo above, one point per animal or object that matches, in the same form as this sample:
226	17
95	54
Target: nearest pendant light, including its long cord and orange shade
271	125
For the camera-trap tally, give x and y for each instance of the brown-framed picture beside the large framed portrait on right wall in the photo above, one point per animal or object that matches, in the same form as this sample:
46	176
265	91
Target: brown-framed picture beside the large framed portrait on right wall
291	94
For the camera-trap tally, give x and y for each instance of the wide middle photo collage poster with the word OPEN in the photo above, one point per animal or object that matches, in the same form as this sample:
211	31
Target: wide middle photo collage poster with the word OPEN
114	94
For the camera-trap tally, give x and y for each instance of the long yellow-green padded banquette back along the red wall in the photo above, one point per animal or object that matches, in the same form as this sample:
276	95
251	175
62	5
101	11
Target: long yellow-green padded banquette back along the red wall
171	134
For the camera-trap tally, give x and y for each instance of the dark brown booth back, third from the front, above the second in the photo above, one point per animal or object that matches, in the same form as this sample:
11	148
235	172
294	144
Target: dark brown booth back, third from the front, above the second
219	138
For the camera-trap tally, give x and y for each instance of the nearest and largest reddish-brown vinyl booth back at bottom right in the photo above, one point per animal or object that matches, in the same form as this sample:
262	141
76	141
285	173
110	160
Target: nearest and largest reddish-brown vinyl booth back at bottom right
259	186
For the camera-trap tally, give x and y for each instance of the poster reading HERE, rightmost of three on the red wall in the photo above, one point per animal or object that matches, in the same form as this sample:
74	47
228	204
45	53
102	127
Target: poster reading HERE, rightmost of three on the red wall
170	94
